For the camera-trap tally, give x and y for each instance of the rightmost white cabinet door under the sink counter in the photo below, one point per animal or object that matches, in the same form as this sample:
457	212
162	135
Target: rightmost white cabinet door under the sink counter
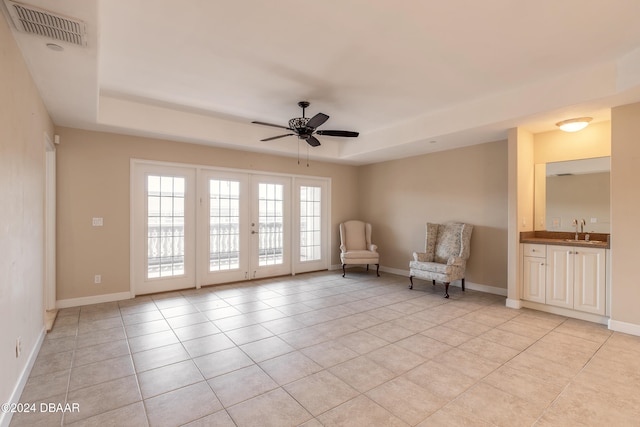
590	279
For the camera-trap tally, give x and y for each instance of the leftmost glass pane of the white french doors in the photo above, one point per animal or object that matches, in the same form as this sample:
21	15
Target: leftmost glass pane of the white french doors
165	226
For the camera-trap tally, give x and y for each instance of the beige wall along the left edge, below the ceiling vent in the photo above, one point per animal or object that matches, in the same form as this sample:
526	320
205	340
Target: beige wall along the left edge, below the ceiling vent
23	123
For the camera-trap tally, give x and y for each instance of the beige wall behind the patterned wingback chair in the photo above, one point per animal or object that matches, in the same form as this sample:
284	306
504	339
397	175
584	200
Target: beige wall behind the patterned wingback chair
467	184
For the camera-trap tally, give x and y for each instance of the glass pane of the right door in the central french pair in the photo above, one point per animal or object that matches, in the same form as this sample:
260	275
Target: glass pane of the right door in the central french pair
270	222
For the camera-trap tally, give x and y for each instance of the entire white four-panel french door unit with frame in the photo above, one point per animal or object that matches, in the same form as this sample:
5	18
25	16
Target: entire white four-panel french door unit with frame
194	226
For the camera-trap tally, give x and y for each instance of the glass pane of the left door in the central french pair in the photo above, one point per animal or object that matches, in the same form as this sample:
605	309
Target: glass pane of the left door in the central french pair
224	225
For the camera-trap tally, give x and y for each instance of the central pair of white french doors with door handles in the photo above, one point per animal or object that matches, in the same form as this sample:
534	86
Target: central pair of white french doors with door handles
248	226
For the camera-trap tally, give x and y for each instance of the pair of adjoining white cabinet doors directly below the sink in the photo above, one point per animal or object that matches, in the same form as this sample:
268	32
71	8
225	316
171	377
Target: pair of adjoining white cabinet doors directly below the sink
576	278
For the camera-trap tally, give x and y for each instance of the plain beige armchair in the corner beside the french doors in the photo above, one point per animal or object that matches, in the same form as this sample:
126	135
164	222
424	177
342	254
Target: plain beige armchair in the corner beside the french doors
356	246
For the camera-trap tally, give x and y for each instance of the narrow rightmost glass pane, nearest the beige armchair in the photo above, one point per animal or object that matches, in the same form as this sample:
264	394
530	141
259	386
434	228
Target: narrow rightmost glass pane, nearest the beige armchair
310	242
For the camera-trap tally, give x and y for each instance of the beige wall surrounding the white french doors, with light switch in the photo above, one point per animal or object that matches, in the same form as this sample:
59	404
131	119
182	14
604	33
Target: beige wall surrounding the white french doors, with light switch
93	181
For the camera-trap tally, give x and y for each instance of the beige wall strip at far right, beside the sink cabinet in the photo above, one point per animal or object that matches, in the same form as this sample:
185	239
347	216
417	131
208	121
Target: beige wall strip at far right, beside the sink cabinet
625	218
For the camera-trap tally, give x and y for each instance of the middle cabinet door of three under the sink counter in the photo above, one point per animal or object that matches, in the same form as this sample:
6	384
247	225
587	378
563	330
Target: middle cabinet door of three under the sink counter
559	286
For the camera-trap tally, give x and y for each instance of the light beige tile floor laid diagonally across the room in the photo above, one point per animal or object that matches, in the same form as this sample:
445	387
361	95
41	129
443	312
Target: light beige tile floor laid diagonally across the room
318	349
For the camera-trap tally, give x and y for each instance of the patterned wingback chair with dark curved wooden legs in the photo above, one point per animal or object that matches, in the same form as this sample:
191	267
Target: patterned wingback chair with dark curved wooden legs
447	249
